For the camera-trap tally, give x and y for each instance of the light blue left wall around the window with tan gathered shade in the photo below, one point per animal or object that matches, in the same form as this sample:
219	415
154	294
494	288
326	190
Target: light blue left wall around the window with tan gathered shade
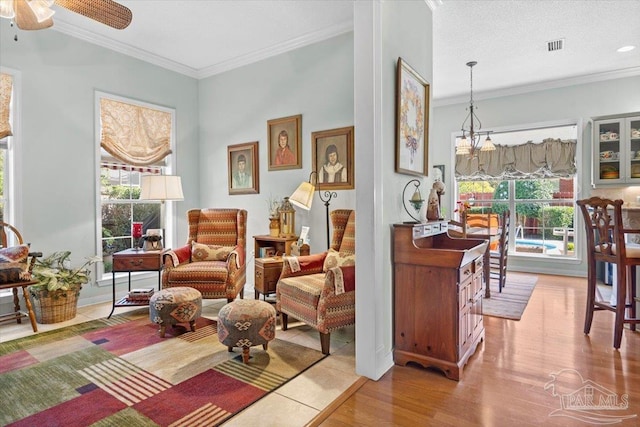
57	183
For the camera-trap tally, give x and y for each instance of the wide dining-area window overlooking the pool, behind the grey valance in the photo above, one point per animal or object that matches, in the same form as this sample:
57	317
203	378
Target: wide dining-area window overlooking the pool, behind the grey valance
542	205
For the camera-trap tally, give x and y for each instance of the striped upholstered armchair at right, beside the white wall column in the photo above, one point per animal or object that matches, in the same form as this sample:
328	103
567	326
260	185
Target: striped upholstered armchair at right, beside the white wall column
319	289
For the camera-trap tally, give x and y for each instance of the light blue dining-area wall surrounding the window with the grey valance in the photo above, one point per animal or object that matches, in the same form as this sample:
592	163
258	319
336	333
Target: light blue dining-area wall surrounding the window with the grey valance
580	102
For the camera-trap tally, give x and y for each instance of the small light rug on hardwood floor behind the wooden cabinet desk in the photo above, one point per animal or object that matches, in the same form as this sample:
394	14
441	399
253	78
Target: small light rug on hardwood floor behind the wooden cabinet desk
511	302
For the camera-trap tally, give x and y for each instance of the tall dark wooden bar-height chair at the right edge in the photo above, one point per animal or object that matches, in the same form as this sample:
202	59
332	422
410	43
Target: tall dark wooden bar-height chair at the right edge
606	242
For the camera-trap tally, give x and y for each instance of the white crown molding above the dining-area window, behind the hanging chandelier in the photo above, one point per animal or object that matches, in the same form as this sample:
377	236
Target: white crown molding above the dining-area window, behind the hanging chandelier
536	87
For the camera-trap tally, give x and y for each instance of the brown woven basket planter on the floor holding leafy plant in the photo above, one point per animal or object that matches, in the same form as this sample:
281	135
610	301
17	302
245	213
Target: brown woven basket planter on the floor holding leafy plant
54	306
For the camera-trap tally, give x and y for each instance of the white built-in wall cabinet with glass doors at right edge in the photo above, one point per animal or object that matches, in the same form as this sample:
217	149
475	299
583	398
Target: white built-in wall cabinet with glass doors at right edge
616	150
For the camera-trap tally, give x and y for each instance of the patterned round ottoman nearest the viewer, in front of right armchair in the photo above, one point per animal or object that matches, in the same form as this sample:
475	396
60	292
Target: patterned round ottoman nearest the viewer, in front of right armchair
245	323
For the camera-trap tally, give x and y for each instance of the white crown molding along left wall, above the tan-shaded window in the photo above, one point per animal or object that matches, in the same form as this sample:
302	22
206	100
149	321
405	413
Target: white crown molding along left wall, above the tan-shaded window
143	55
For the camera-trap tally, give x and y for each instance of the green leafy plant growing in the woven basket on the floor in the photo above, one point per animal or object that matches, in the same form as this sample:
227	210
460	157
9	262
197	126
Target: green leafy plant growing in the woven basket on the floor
53	272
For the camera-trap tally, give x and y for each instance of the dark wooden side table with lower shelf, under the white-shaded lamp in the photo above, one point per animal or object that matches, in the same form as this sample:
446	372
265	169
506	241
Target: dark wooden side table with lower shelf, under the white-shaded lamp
131	260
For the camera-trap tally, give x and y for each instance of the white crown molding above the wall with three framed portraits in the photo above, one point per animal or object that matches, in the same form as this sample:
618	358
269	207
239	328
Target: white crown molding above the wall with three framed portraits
307	39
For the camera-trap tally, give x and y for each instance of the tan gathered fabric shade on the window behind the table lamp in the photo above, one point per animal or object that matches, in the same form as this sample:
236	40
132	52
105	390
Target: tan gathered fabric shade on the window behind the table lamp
133	134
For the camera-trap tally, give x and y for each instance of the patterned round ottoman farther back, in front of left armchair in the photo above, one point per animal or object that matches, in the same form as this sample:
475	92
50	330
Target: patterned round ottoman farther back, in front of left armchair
175	305
